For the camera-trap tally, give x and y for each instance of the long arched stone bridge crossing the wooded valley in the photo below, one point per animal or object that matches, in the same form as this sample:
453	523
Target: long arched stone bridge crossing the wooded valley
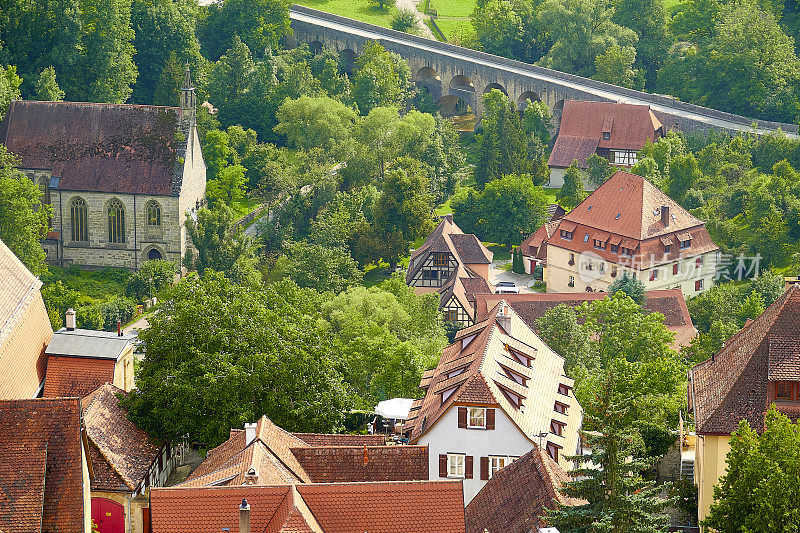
456	76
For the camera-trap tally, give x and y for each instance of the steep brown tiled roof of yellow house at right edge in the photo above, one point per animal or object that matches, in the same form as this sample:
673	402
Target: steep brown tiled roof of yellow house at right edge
733	384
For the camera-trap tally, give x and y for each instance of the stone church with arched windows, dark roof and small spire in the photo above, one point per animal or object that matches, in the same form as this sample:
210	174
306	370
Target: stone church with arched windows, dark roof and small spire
121	178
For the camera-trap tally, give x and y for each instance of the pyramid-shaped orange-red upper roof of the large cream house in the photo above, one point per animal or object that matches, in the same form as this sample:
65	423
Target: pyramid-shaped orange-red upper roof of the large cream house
638	204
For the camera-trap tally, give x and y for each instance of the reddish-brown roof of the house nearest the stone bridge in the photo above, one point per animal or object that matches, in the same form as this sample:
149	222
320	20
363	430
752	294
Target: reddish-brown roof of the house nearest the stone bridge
582	123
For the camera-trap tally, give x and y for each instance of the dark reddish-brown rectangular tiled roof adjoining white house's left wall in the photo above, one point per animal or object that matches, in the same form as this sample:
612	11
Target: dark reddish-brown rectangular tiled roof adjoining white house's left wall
333	464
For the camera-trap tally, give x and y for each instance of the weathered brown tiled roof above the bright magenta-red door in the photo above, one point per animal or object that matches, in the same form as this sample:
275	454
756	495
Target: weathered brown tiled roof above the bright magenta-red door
124	447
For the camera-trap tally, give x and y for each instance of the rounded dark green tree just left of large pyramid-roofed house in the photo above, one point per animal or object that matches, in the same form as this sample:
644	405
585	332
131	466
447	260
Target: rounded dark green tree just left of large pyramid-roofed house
512	208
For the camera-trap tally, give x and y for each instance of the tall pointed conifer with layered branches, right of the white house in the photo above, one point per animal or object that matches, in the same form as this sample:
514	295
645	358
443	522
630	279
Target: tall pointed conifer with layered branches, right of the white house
618	498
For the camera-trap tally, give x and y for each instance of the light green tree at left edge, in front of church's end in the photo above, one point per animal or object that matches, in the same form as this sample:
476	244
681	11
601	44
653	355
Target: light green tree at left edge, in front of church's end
23	218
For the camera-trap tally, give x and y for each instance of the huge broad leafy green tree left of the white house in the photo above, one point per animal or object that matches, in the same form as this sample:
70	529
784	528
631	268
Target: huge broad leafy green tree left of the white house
219	354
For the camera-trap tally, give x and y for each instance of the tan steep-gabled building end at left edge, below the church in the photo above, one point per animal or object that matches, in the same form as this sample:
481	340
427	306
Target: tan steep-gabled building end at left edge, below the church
24	328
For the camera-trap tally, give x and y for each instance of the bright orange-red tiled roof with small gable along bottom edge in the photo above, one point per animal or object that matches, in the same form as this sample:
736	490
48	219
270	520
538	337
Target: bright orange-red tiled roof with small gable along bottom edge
419	506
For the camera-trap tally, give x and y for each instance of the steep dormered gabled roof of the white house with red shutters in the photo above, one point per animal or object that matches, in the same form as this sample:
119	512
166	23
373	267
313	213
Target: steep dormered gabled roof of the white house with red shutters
471	371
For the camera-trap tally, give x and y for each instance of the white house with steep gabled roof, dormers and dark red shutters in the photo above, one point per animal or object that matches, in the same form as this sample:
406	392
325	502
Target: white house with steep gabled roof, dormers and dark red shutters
497	391
